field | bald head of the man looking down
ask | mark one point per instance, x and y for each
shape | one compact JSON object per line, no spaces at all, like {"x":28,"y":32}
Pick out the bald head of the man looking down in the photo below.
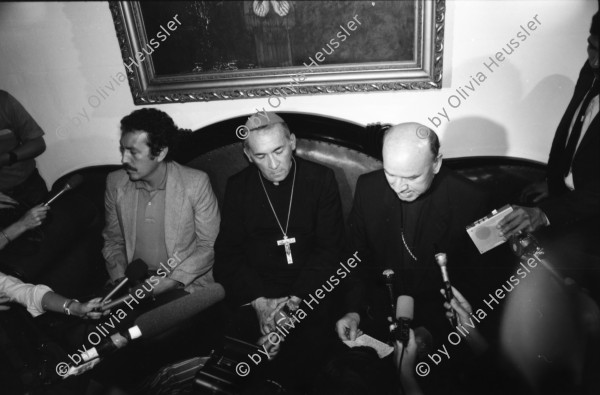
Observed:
{"x":411,"y":159}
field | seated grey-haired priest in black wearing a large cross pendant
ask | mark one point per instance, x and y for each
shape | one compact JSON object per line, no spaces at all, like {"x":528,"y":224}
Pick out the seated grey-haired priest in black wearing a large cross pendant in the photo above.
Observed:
{"x":280,"y":239}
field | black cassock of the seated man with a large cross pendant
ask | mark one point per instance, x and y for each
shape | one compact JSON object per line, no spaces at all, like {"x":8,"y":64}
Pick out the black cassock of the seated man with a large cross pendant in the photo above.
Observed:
{"x":276,"y":241}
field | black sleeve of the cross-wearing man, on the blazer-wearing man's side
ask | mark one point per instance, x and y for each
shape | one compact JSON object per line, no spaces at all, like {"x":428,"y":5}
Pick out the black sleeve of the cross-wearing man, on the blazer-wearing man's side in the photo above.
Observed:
{"x":241,"y":282}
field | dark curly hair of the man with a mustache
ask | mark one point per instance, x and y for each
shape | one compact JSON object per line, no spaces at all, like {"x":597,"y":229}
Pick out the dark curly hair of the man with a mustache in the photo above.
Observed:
{"x":159,"y":126}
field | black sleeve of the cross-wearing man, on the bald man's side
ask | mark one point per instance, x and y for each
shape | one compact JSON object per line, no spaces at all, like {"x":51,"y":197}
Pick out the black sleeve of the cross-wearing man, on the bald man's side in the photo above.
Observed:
{"x":329,"y":235}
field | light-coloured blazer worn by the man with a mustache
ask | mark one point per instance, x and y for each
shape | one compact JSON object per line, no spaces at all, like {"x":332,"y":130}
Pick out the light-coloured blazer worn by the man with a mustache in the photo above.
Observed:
{"x":191,"y":225}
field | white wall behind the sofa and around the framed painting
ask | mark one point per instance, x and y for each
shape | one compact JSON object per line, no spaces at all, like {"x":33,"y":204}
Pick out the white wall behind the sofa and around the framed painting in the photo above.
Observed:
{"x":53,"y":57}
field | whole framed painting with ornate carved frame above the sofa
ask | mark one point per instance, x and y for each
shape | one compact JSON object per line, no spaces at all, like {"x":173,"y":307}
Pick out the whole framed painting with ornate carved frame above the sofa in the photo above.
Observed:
{"x":177,"y":62}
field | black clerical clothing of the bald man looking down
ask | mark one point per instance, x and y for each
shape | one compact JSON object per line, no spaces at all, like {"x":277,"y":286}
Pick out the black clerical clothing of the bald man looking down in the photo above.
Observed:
{"x":405,"y":236}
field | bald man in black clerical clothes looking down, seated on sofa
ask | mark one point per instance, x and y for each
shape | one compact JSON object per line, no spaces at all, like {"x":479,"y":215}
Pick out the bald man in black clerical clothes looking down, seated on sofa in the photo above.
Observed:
{"x":401,"y":217}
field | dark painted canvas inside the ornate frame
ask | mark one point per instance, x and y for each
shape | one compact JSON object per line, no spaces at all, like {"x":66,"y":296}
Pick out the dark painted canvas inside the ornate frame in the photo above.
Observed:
{"x":226,"y":36}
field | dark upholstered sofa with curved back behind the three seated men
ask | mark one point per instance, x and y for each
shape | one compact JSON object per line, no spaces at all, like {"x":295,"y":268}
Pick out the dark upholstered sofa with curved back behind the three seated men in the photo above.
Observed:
{"x":349,"y":149}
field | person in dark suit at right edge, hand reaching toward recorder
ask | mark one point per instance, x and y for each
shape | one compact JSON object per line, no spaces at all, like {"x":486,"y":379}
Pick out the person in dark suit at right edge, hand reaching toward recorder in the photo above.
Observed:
{"x":568,"y":200}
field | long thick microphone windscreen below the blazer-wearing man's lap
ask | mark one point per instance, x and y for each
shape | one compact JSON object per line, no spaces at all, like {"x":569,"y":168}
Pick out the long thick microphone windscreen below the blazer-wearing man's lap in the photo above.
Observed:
{"x":173,"y":313}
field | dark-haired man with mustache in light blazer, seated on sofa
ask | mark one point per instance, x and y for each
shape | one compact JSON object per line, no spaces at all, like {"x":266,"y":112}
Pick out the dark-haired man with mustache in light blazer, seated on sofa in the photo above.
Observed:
{"x":157,"y":210}
